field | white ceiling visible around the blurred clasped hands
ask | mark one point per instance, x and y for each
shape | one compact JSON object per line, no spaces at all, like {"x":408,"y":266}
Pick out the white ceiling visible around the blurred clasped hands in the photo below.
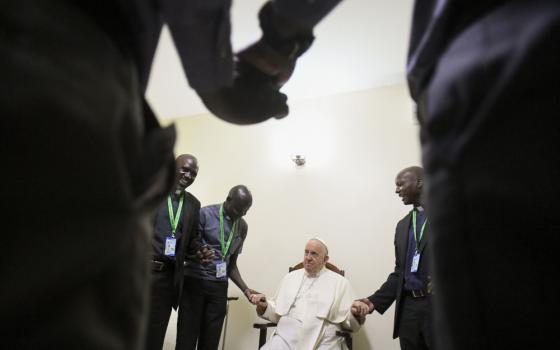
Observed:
{"x":361,"y":44}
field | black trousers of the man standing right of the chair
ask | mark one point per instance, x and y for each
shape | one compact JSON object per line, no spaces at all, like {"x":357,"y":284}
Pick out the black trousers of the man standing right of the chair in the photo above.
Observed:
{"x":415,"y":324}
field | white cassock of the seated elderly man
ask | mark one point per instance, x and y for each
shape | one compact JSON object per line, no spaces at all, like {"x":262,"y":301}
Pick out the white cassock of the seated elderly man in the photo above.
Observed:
{"x":309,"y":310}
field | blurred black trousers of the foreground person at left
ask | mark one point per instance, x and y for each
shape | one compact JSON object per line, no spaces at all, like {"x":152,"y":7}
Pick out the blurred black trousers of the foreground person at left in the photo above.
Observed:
{"x":75,"y":191}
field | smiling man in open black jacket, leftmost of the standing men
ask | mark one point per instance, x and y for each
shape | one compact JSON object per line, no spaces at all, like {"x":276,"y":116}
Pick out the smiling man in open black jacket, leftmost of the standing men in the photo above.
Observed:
{"x":175,"y":230}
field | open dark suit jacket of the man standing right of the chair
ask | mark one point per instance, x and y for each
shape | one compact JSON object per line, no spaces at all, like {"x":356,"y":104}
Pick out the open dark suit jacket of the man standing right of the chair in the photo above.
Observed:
{"x":392,"y":289}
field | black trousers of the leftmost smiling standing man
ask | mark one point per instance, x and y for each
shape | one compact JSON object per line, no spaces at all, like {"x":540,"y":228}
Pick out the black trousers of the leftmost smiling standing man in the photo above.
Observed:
{"x":163,"y":298}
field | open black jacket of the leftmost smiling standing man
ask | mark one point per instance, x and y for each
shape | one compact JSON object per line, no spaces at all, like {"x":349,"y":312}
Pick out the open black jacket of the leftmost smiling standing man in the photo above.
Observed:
{"x":189,"y":241}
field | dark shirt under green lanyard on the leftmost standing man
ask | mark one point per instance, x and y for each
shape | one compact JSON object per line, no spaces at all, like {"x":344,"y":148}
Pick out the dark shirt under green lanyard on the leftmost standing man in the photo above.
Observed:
{"x":162,"y":229}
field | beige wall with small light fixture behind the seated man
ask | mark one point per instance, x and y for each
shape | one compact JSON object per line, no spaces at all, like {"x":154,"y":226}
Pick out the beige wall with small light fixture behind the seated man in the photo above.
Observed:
{"x":354,"y":144}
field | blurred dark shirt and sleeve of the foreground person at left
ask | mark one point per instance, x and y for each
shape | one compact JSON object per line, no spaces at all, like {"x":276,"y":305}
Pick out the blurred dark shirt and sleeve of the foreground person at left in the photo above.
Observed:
{"x":200,"y":31}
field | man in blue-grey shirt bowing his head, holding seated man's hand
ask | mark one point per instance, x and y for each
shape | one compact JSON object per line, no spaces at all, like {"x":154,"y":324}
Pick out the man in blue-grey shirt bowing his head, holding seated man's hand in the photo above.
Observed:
{"x":203,"y":303}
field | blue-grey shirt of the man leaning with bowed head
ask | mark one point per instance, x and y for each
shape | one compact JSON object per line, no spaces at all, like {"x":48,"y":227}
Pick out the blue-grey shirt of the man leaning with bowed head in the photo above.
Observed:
{"x":210,"y":234}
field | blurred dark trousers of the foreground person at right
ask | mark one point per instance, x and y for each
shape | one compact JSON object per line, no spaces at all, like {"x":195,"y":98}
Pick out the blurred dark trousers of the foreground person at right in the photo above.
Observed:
{"x":491,"y":137}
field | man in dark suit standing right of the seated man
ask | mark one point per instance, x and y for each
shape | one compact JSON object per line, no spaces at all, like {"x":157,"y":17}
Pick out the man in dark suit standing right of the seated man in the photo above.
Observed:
{"x":407,"y":285}
